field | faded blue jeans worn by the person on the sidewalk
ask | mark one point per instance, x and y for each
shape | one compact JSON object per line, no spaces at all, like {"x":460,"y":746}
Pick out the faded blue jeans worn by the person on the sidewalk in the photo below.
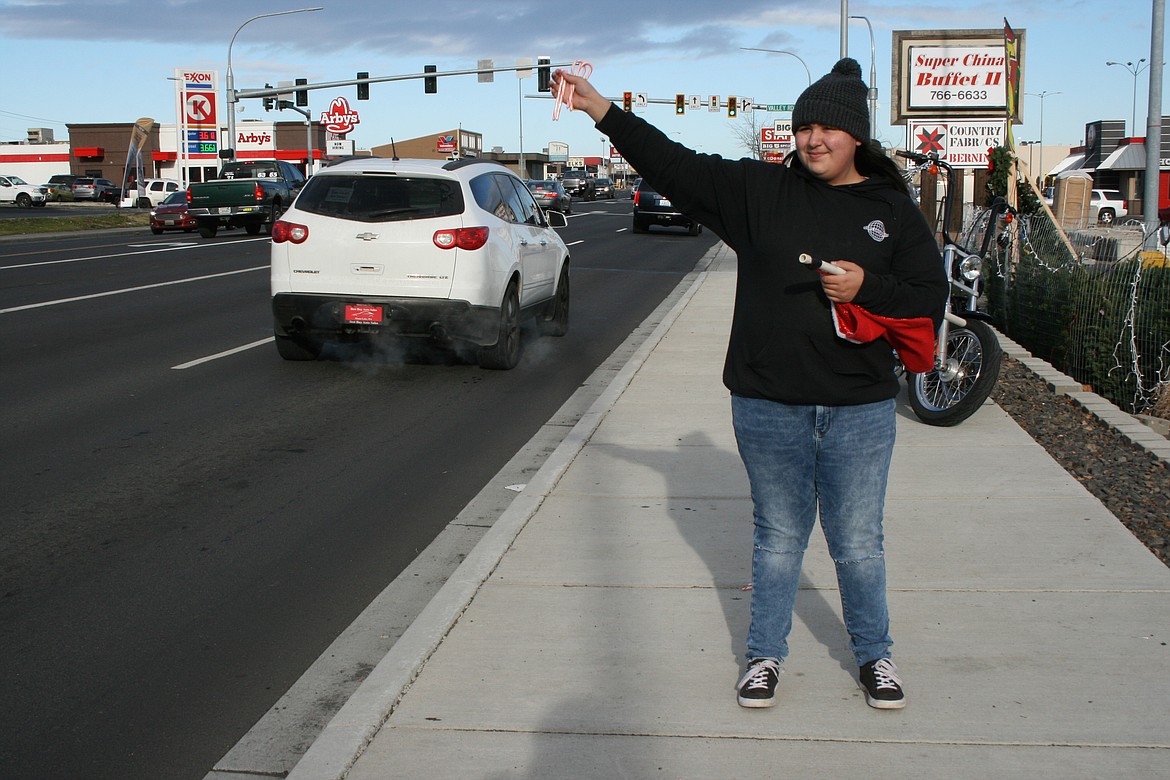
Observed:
{"x":801,"y":460}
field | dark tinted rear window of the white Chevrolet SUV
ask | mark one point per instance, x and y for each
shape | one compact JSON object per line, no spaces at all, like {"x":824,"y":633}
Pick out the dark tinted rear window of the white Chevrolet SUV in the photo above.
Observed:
{"x":373,"y":198}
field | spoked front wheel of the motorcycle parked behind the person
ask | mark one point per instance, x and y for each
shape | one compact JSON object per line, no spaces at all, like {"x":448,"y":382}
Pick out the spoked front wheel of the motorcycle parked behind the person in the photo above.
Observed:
{"x":949,"y":396}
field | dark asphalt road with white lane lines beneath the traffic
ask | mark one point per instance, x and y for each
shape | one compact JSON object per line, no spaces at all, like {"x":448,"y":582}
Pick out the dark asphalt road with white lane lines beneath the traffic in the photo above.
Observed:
{"x":189,"y":521}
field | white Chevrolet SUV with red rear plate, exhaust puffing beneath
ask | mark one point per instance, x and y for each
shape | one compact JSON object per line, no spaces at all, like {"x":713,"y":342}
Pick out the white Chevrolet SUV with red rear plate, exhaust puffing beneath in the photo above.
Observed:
{"x":455,"y":253}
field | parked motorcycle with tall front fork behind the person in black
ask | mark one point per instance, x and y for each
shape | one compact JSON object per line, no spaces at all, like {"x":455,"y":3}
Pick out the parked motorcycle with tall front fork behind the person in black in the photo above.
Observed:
{"x":967,"y":350}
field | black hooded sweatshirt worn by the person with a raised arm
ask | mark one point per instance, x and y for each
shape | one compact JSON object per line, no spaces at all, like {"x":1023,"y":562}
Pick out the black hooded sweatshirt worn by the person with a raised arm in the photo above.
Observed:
{"x":783,"y":346}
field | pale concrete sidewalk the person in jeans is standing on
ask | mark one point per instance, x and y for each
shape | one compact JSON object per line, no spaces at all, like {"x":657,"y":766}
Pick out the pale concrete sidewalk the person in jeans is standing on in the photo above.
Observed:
{"x":597,"y":630}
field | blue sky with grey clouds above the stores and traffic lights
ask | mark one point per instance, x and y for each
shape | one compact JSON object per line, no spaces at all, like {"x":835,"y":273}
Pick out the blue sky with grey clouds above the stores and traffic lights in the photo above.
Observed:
{"x":95,"y":61}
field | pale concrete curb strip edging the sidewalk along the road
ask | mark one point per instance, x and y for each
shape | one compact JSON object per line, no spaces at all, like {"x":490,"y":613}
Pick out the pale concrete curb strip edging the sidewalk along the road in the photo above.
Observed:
{"x":357,"y":723}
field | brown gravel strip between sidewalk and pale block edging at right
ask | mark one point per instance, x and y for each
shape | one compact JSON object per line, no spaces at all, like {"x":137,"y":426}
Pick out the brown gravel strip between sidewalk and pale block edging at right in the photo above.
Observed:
{"x":1132,"y":484}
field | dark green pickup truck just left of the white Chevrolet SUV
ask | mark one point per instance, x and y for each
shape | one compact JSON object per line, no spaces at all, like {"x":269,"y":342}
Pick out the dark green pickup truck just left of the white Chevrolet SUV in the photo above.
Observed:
{"x":251,"y":195}
